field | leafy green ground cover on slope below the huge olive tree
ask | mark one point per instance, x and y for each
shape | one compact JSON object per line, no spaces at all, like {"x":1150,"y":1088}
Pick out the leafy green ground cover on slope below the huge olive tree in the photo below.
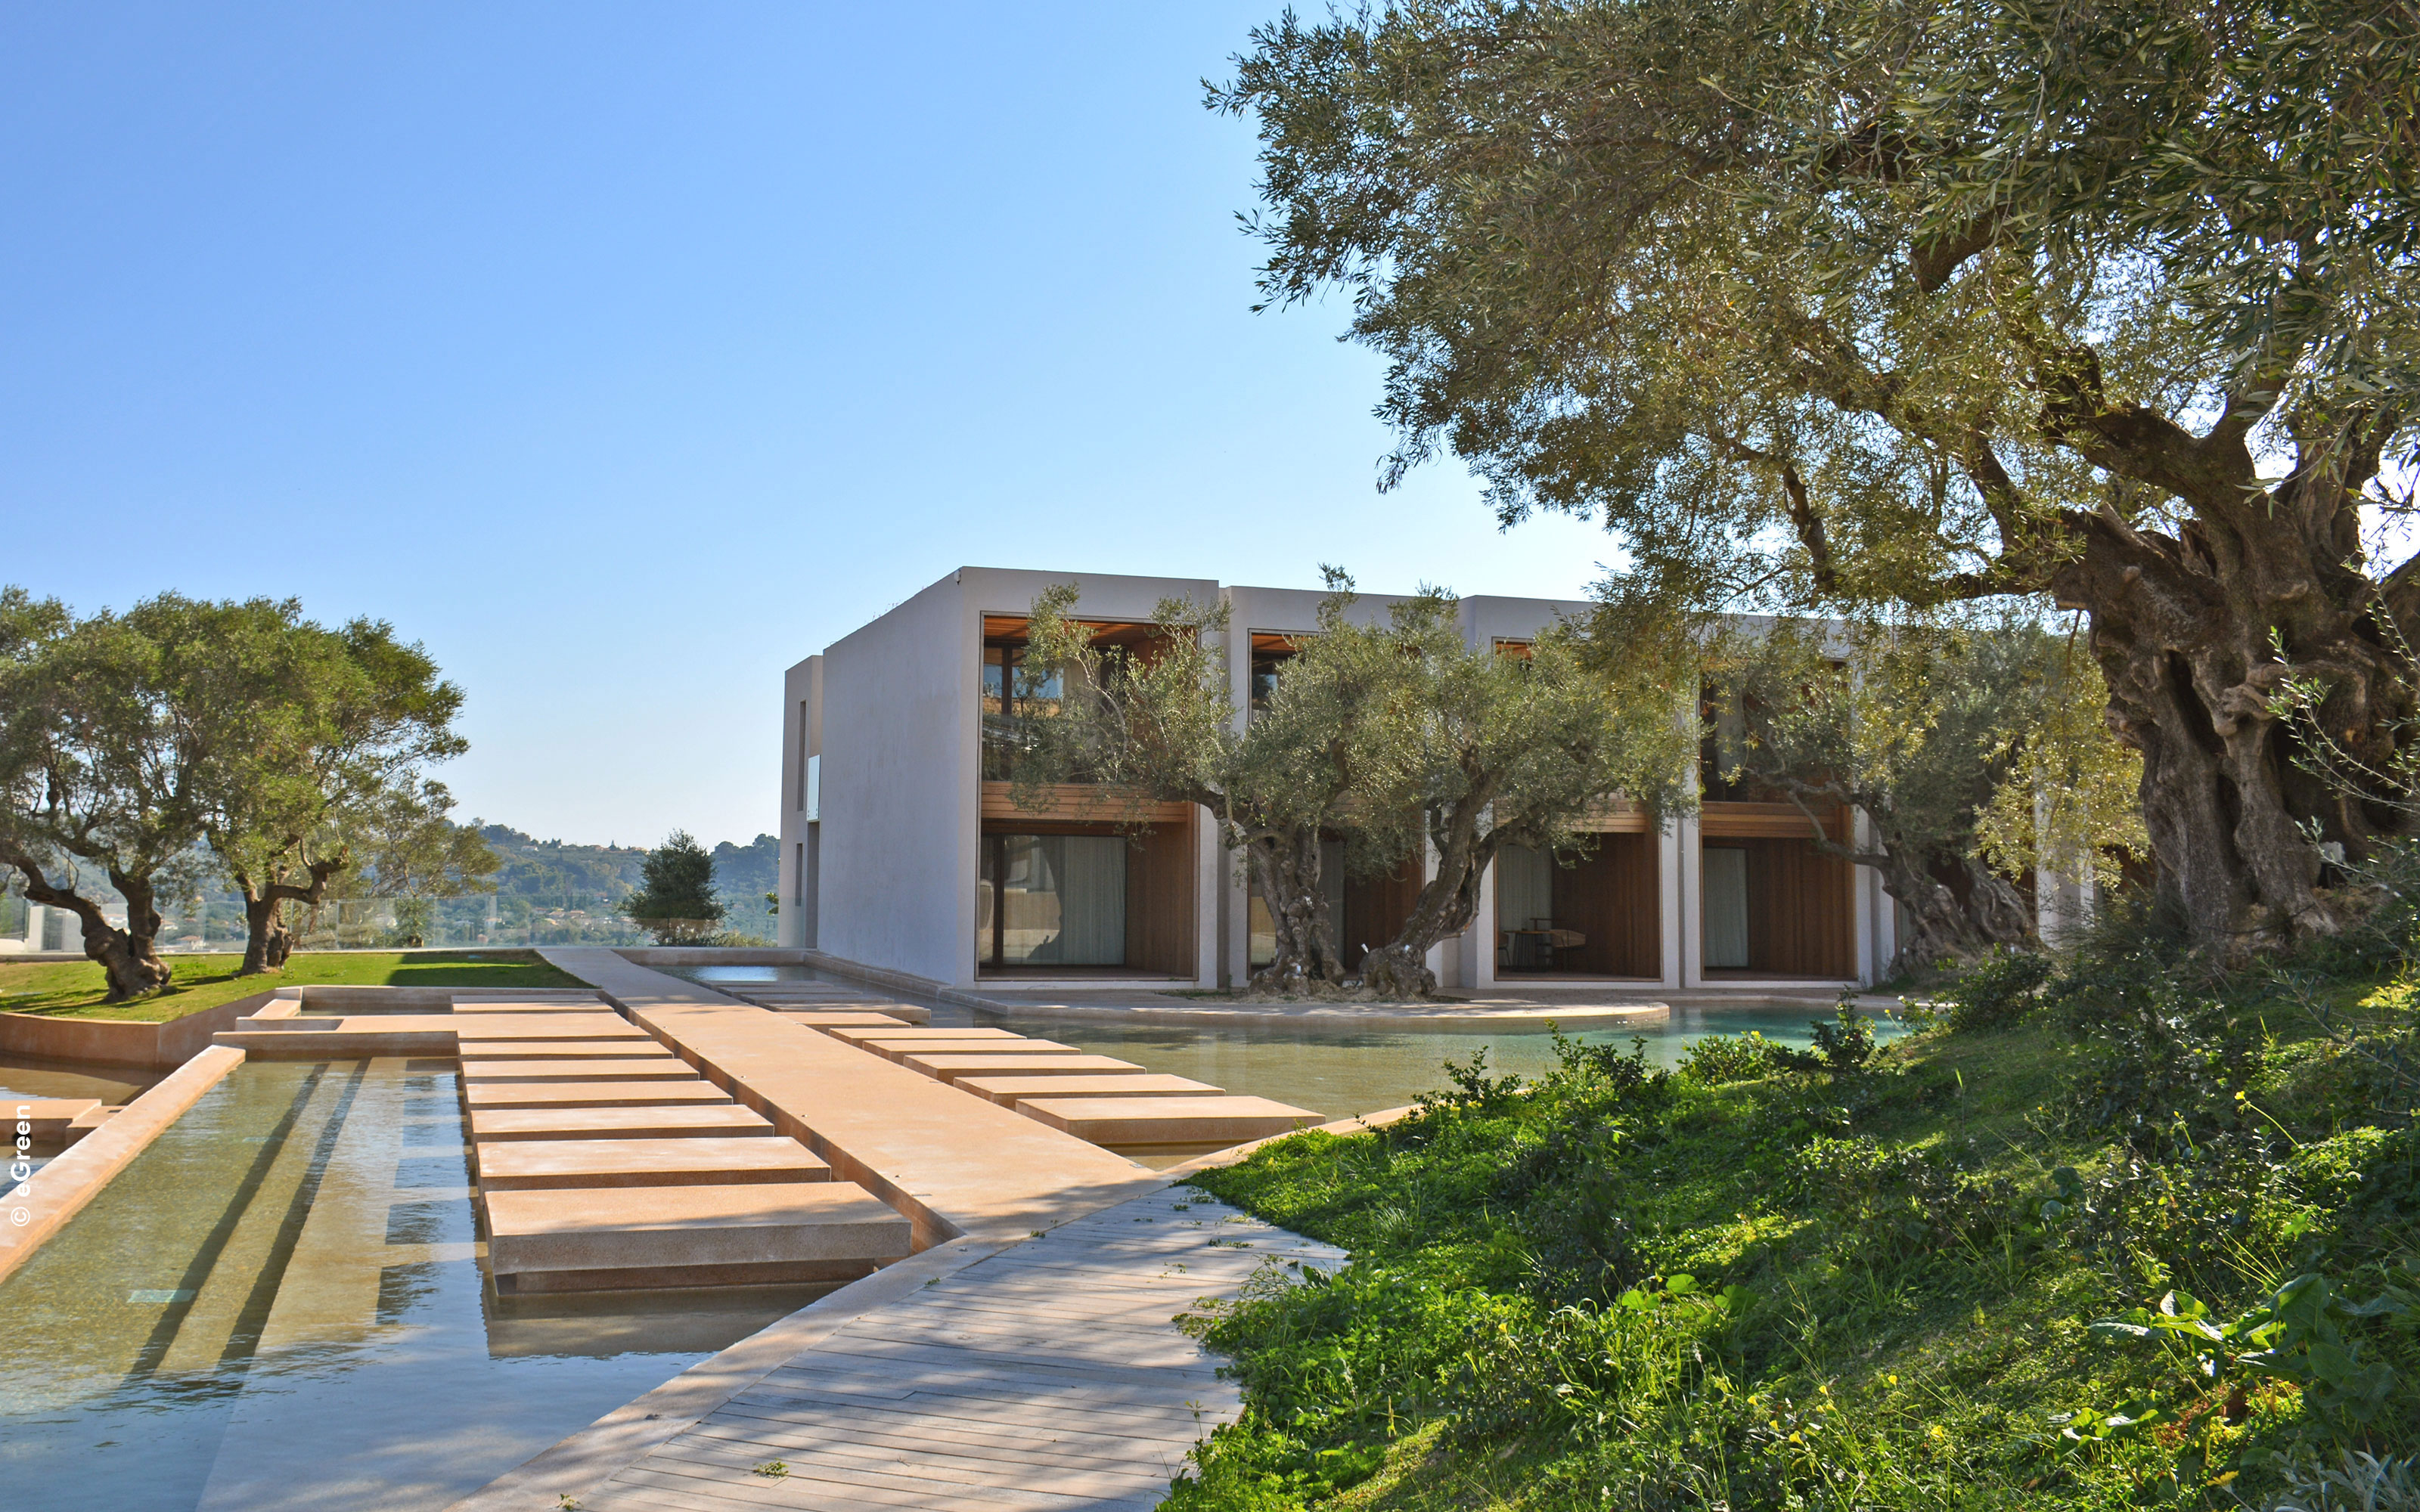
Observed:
{"x":2104,"y":1237}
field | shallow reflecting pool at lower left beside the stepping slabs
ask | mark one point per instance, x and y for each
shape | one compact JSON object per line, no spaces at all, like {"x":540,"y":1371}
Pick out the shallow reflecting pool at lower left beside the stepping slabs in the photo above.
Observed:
{"x":280,"y":1305}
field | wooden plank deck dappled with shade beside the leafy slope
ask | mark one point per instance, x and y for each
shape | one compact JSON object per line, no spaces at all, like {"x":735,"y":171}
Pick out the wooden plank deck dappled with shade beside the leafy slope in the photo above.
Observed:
{"x":1037,"y":1380}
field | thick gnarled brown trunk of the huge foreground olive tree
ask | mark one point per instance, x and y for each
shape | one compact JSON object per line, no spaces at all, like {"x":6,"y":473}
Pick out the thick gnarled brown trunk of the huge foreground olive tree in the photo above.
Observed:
{"x":2189,"y":630}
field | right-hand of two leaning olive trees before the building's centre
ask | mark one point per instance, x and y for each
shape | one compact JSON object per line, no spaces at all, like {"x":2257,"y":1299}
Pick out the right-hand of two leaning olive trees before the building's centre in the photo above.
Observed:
{"x":1487,"y":749}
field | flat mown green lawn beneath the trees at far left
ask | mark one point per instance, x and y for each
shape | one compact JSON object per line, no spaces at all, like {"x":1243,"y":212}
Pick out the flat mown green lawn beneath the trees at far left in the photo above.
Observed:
{"x":76,"y":988}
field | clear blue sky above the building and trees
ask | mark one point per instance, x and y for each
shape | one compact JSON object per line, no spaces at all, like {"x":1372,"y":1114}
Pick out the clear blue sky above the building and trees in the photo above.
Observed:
{"x":626,"y":354}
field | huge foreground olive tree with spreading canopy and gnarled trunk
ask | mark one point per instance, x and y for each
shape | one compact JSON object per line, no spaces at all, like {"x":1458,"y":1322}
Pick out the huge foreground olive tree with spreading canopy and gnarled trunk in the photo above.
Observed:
{"x":1906,"y":306}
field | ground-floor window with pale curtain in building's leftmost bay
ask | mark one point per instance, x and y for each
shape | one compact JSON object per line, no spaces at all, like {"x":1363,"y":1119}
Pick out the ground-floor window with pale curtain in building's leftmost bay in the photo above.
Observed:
{"x":1051,"y":901}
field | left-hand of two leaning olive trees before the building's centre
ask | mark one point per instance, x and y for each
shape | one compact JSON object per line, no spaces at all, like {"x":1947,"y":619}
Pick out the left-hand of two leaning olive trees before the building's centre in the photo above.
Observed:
{"x":1163,"y":727}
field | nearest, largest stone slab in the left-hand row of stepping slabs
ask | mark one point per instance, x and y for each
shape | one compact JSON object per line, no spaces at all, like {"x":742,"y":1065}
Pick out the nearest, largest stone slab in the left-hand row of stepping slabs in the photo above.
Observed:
{"x":688,"y":1235}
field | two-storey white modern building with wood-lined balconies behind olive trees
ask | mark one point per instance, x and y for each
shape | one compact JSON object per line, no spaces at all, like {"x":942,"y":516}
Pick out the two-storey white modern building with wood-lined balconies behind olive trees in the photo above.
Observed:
{"x":901,"y":853}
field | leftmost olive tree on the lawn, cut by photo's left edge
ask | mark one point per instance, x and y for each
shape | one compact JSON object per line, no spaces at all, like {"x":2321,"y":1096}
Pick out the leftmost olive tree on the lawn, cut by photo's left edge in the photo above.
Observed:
{"x":115,"y":734}
